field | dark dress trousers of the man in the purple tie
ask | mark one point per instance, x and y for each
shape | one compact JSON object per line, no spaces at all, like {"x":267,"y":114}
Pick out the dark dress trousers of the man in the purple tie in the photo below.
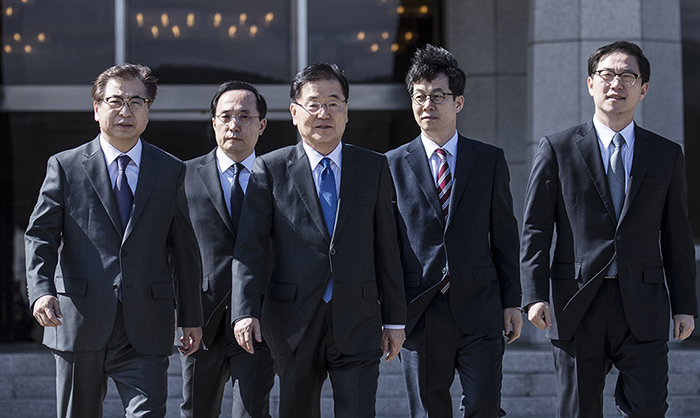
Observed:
{"x":81,"y":378}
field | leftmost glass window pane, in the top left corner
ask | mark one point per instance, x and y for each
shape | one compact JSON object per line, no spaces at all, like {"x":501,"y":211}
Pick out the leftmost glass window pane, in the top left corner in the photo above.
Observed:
{"x":56,"y":42}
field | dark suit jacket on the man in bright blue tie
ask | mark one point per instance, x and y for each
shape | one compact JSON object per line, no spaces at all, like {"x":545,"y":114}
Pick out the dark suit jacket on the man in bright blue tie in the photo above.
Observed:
{"x":282,"y":205}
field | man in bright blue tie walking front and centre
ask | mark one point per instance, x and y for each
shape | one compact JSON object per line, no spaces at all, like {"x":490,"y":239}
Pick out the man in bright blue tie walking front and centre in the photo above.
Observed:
{"x":334,"y":300}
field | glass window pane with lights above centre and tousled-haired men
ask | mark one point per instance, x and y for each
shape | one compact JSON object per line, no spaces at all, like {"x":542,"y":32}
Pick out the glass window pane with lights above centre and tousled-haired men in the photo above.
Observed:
{"x":372,"y":40}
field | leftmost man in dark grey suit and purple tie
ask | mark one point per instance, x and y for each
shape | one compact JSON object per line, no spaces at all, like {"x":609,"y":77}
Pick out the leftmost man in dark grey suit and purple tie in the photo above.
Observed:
{"x":111,"y":256}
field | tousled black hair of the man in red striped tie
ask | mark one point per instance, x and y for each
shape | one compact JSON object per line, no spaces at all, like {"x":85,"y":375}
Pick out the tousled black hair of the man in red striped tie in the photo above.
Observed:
{"x":431,"y":61}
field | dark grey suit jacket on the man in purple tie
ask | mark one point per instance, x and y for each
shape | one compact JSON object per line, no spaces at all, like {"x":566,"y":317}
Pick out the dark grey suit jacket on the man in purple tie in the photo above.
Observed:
{"x":155,"y":261}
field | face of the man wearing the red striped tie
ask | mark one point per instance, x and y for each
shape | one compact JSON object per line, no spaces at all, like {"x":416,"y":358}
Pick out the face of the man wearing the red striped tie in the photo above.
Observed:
{"x":438,"y":122}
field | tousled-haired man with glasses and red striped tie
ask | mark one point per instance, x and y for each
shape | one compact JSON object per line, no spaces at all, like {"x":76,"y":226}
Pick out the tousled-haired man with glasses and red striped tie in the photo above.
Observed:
{"x":459,"y":243}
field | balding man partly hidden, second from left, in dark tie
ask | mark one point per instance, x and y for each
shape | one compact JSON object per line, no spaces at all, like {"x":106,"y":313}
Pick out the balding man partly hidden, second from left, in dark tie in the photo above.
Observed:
{"x":214,"y":185}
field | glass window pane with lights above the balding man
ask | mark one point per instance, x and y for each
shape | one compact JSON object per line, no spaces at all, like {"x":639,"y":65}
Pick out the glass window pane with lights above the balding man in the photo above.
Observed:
{"x":209,"y":41}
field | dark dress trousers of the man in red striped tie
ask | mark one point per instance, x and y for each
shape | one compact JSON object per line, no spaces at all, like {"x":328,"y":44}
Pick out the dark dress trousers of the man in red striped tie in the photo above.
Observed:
{"x":432,"y":352}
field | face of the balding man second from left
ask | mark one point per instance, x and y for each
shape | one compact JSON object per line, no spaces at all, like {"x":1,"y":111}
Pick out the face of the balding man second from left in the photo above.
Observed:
{"x":237,"y":141}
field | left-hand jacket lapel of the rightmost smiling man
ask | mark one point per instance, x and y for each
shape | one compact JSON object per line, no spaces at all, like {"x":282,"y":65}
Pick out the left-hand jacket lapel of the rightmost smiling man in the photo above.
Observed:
{"x":589,"y":149}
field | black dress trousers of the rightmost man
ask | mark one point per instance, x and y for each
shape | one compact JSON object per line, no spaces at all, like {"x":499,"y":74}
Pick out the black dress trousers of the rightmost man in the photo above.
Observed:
{"x":602,"y":340}
